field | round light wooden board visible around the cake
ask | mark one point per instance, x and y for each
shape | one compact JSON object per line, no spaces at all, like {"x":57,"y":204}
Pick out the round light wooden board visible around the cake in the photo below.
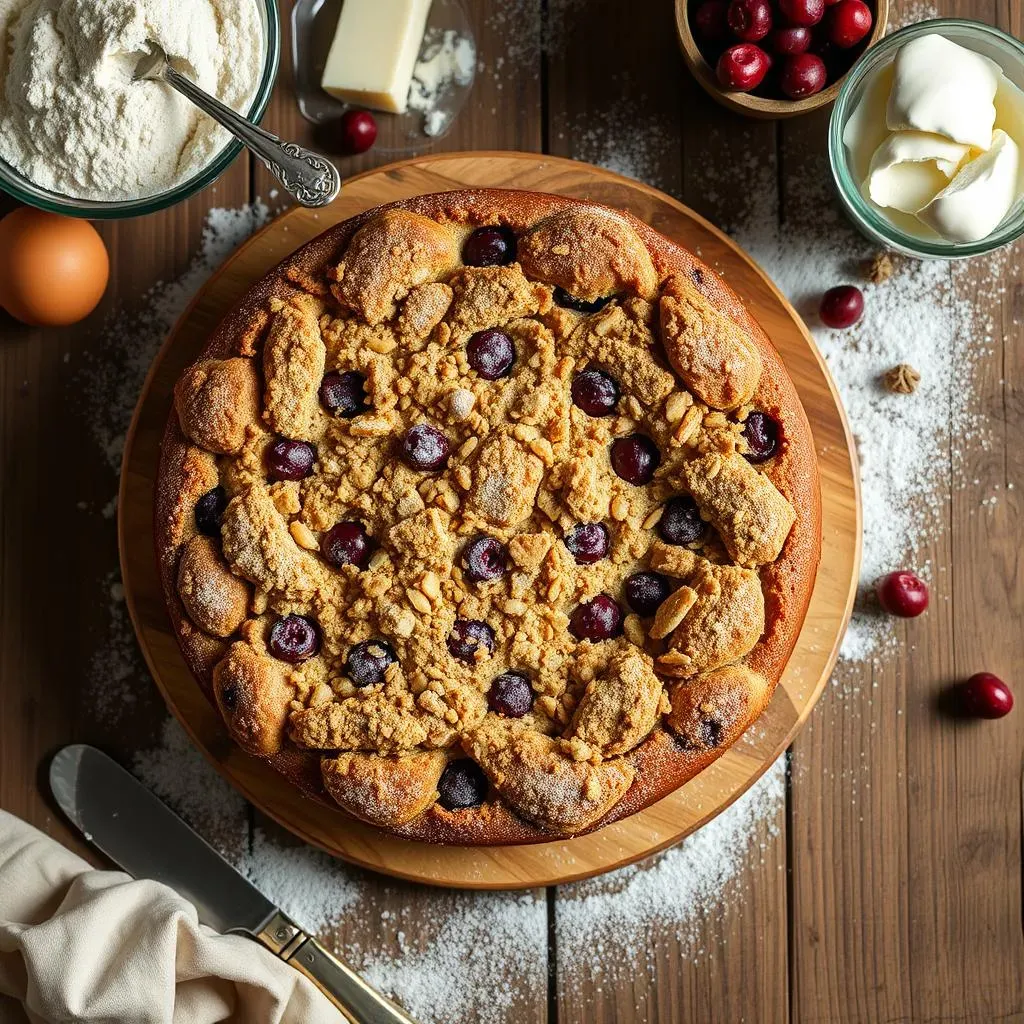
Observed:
{"x":671,"y":819}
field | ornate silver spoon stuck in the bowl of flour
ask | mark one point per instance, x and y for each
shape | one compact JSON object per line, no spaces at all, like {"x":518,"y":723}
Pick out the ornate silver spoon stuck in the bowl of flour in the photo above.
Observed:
{"x":308,"y":177}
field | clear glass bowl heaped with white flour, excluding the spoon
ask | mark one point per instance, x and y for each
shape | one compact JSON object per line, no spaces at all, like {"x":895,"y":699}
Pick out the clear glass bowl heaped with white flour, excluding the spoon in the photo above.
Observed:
{"x":78,"y":137}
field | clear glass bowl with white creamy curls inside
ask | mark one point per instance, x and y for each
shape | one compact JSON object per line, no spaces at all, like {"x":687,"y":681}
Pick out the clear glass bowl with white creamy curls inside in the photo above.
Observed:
{"x":926,"y":141}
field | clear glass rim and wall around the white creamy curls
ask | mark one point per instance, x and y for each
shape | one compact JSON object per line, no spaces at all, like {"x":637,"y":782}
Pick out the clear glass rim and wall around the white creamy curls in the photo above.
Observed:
{"x":866,"y":218}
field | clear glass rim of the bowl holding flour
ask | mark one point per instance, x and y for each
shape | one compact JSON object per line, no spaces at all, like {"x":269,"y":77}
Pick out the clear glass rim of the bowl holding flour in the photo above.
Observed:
{"x":22,"y":189}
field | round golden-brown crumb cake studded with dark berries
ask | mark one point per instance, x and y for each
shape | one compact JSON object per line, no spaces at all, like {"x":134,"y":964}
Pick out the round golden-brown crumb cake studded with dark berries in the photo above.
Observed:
{"x":489,"y":518}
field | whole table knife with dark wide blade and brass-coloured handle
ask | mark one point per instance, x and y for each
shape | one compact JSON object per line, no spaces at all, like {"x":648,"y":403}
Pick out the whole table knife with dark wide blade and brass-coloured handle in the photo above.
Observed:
{"x":135,"y":829}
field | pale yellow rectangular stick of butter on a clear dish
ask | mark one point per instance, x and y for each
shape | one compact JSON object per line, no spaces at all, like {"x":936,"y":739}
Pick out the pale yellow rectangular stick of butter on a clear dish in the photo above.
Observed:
{"x":374,"y":53}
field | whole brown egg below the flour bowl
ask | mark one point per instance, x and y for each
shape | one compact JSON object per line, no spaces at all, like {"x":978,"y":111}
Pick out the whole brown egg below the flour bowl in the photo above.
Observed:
{"x":54,"y":270}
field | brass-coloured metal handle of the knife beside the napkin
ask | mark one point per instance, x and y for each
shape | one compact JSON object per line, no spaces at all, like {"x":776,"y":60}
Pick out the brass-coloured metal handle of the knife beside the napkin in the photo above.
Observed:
{"x":359,"y":1002}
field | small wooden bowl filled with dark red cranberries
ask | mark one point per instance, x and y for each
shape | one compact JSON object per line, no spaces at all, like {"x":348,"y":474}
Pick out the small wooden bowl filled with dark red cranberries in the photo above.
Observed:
{"x":777,"y":59}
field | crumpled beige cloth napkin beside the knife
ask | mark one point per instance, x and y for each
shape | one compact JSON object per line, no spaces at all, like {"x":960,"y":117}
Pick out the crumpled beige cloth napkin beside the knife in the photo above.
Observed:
{"x":99,"y":948}
